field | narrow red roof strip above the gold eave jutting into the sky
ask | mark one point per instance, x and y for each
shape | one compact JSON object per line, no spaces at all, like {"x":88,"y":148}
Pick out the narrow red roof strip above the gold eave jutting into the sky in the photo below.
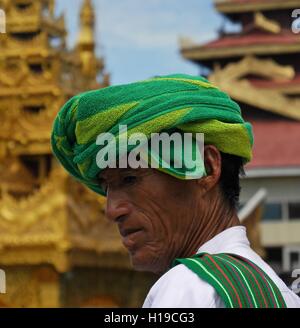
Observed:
{"x":255,"y":38}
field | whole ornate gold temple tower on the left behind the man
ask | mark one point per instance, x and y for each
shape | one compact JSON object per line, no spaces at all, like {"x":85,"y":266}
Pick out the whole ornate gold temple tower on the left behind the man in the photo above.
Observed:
{"x":45,"y":216}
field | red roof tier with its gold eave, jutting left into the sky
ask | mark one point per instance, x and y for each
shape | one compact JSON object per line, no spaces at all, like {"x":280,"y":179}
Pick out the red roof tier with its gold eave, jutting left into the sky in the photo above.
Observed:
{"x":238,"y":45}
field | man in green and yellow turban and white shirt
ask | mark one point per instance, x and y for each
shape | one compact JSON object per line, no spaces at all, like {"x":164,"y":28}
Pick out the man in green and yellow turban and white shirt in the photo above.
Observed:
{"x":172,"y":221}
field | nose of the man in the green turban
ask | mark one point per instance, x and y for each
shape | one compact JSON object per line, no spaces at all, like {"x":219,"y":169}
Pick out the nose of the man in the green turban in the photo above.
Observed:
{"x":116,"y":206}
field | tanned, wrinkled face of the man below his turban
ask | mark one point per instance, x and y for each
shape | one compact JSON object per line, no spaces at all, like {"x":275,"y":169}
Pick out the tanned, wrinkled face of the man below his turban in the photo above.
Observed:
{"x":155,"y":213}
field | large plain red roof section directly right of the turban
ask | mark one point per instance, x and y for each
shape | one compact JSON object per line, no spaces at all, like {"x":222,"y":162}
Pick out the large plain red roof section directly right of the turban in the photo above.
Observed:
{"x":276,"y":144}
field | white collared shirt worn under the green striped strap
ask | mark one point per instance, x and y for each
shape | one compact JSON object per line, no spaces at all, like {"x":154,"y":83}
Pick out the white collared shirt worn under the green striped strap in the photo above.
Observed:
{"x":181,"y":287}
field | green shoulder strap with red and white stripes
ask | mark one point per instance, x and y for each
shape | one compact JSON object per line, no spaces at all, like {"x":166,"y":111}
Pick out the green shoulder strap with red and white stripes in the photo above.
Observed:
{"x":238,"y":281}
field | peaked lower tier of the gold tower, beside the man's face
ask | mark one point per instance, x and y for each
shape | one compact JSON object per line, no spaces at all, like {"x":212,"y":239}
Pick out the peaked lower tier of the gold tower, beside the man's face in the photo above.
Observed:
{"x":43,"y":229}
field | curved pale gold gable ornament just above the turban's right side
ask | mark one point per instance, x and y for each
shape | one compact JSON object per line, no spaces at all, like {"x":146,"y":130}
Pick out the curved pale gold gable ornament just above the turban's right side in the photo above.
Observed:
{"x":278,"y":92}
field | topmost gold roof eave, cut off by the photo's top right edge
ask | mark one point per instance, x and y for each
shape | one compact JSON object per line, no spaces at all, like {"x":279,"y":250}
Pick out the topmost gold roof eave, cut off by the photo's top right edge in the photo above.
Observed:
{"x":240,"y":6}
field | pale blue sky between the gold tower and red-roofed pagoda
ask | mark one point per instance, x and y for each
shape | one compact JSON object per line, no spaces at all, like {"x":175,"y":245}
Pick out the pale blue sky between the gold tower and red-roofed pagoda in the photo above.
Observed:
{"x":139,"y":39}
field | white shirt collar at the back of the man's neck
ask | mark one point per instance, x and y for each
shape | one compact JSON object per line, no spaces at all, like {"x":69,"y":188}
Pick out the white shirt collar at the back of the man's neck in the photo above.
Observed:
{"x":226,"y":241}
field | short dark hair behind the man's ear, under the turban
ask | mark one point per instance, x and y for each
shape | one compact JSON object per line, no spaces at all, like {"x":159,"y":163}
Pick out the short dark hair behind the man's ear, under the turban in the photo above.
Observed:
{"x":232,"y":167}
